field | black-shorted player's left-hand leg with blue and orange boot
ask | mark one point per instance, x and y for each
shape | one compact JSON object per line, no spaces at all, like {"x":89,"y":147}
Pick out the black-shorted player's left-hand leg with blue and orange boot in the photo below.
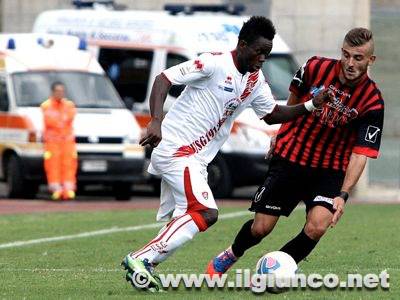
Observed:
{"x":274,"y":198}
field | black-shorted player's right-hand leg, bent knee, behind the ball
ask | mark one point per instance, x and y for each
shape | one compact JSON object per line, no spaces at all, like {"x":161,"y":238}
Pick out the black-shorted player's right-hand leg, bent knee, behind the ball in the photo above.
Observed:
{"x":324,"y":185}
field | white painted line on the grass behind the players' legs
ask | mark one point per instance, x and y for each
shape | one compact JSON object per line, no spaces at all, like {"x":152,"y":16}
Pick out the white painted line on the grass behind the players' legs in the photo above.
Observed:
{"x":103,"y":232}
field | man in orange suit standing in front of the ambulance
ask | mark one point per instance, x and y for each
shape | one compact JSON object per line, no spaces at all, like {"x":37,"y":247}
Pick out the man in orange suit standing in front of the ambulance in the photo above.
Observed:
{"x":60,"y":156}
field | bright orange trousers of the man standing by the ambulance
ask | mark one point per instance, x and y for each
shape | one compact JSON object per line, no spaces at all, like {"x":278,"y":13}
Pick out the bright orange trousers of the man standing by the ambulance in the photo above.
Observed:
{"x":60,"y":165}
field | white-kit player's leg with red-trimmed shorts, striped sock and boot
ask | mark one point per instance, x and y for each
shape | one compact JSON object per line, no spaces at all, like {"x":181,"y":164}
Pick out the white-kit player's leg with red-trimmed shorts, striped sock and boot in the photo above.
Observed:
{"x":195,"y":211}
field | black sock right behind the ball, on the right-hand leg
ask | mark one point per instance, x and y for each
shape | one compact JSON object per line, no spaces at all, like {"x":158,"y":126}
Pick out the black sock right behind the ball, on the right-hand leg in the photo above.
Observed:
{"x":300,"y":246}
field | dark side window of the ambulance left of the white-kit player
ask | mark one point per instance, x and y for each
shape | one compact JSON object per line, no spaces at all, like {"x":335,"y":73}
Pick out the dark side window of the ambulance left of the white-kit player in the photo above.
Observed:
{"x":129,"y":70}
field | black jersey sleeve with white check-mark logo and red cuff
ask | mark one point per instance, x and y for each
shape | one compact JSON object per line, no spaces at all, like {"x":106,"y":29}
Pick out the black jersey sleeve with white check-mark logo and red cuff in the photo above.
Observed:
{"x":369,"y":134}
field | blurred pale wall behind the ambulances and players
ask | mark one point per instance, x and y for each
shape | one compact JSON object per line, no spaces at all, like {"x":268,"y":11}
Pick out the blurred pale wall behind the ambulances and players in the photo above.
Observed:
{"x":310,"y":27}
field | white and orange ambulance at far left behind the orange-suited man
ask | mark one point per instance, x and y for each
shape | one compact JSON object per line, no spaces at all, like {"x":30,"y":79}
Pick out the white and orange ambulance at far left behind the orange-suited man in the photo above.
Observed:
{"x":106,"y":132}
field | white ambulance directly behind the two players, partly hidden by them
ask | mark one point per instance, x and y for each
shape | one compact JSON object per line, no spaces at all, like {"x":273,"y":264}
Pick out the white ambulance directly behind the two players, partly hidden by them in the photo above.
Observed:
{"x":135,"y":46}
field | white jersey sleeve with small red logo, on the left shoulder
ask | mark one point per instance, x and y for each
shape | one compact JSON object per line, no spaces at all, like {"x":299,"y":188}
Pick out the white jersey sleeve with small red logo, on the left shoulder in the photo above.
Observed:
{"x":191,"y":71}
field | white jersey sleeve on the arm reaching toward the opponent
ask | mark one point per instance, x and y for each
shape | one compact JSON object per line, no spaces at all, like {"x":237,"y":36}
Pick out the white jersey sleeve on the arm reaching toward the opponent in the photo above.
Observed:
{"x":263,"y":103}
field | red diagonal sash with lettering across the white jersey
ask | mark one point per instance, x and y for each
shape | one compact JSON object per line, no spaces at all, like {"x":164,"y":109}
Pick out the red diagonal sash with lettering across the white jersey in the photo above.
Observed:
{"x":230,"y":107}
